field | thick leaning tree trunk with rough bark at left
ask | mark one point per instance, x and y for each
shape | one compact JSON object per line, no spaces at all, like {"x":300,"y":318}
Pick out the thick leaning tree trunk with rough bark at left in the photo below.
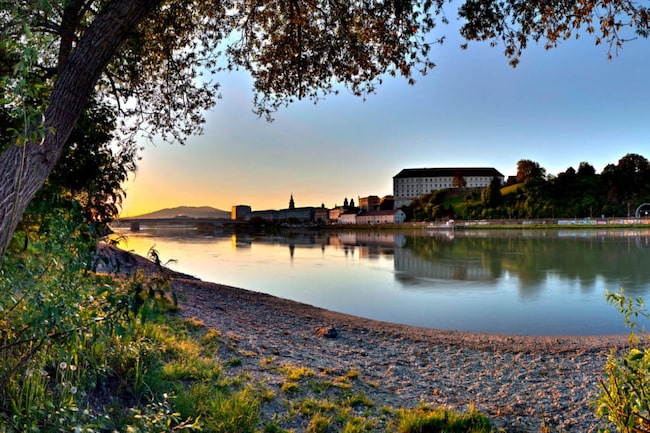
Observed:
{"x":23,"y":169}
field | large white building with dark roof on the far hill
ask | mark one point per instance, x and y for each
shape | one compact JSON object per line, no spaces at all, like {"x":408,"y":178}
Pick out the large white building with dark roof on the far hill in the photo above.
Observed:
{"x":411,"y":183}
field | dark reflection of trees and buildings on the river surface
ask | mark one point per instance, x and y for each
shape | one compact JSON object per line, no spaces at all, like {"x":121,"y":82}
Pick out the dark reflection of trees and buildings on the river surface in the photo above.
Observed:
{"x":534,"y":259}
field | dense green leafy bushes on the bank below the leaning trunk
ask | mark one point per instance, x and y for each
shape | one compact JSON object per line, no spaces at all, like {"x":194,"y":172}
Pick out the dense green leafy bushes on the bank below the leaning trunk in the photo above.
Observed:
{"x":69,"y":336}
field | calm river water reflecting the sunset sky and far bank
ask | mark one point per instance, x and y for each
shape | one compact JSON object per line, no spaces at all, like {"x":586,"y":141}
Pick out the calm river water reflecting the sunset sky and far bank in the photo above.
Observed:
{"x":510,"y":282}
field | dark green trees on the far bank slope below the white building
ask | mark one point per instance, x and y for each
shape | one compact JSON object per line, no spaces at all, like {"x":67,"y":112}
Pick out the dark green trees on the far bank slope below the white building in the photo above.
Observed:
{"x":574,"y":193}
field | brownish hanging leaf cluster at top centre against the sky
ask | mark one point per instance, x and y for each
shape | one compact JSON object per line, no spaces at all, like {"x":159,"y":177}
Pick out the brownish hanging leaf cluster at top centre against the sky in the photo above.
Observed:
{"x":308,"y":49}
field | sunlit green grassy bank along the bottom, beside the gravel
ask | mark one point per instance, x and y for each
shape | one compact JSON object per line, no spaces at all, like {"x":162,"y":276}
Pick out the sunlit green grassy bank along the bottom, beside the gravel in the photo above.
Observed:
{"x":169,"y":374}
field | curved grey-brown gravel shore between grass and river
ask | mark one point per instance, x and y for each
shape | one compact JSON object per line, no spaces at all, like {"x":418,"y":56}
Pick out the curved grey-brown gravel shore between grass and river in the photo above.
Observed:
{"x":520,"y":383}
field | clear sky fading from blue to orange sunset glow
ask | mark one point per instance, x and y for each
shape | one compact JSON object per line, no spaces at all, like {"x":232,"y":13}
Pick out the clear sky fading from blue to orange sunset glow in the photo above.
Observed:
{"x":558,"y":108}
